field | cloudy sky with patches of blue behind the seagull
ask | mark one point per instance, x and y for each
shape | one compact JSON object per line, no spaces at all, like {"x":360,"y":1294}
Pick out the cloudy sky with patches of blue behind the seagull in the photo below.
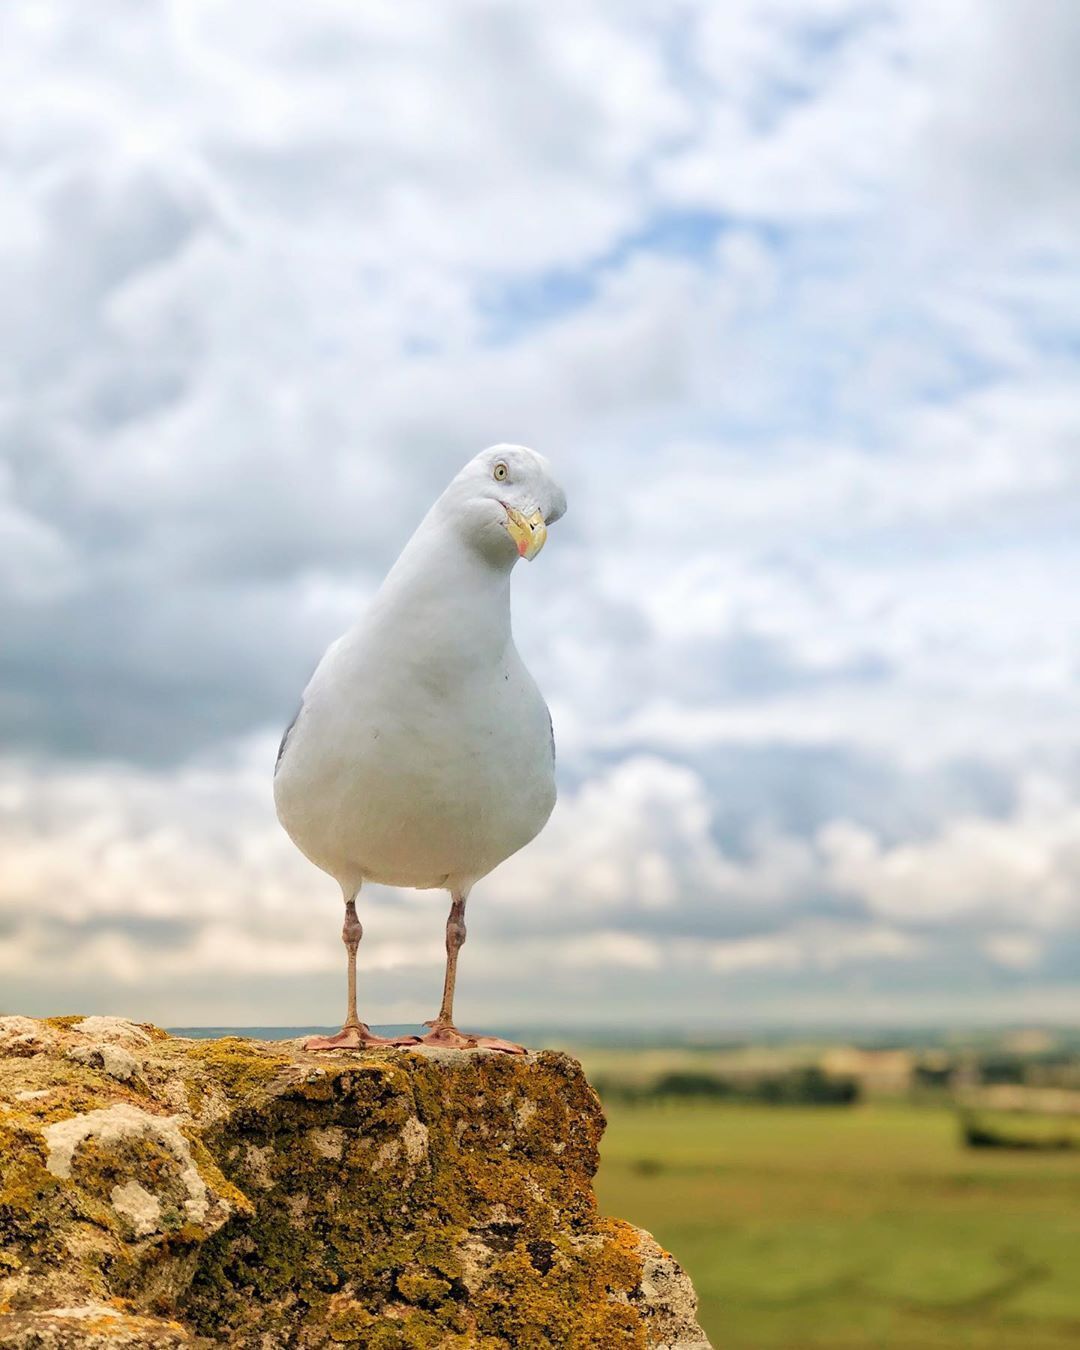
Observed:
{"x":788,"y":291}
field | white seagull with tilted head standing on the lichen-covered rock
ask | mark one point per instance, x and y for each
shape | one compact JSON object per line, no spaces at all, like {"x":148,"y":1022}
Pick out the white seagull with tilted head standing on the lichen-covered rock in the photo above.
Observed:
{"x":423,"y":754}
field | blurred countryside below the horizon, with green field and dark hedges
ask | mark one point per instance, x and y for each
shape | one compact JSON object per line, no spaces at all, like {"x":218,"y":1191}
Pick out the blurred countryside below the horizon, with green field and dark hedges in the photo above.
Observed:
{"x":848,"y":1191}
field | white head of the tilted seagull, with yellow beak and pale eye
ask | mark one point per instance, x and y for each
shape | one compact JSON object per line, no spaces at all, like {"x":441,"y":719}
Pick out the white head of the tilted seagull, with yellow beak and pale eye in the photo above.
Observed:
{"x":504,"y":502}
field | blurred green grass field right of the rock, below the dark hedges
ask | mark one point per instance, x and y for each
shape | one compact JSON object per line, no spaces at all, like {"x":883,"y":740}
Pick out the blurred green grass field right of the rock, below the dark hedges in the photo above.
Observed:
{"x":867,"y":1226}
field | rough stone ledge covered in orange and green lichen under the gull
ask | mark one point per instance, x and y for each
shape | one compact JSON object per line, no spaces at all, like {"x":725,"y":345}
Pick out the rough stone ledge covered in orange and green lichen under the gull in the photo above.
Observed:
{"x":159,"y":1191}
